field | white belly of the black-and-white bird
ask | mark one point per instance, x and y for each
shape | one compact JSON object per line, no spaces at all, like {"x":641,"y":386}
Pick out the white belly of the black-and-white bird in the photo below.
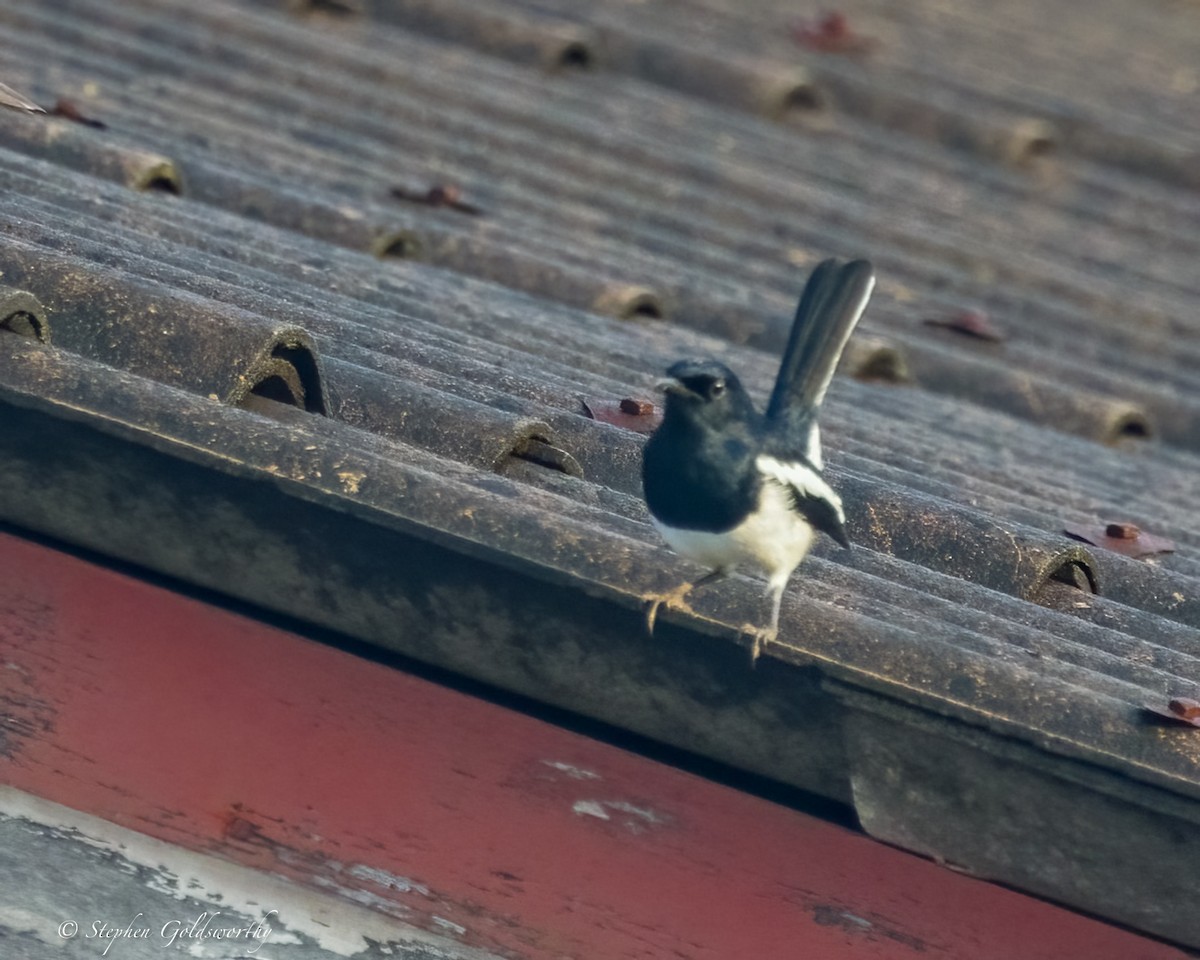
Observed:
{"x":773,"y":539}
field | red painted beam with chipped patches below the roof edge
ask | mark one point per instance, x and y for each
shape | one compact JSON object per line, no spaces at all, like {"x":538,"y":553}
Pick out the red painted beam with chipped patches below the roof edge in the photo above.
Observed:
{"x":213,"y":731}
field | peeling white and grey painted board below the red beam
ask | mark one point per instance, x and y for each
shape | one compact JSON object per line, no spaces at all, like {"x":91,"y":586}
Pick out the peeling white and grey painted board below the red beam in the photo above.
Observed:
{"x":136,"y":877}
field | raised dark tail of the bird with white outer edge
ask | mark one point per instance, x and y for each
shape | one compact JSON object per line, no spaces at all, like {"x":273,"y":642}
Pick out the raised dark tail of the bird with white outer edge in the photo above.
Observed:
{"x":830,"y":308}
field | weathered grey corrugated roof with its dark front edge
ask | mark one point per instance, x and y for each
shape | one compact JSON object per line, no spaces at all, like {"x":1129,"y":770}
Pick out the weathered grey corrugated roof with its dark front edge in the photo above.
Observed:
{"x":255,"y":227}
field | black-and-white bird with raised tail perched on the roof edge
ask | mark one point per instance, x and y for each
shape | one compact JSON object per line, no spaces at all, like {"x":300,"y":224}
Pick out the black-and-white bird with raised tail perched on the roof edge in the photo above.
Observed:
{"x":730,"y":488}
